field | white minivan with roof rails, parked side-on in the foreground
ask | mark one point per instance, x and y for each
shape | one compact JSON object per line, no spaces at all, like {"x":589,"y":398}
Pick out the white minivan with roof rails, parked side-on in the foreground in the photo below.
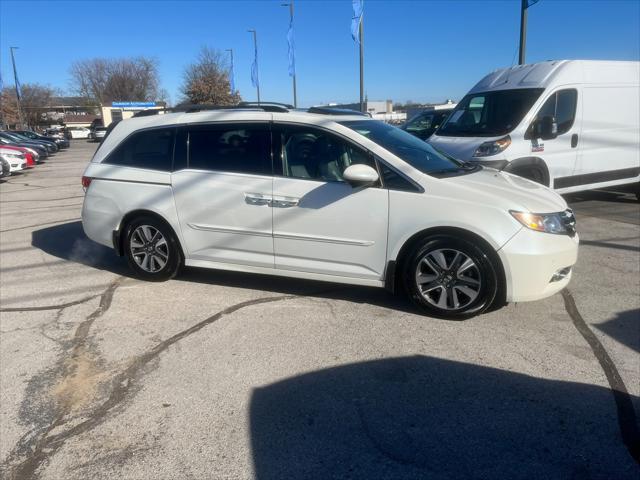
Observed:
{"x":326,"y":195}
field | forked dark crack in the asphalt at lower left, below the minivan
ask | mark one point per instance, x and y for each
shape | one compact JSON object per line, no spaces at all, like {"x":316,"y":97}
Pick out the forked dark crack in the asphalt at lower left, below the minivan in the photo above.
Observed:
{"x":47,"y":444}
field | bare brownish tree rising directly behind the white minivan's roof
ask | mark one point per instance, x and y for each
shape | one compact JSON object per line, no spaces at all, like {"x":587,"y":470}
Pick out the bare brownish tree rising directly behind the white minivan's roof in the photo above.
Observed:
{"x":207,"y":80}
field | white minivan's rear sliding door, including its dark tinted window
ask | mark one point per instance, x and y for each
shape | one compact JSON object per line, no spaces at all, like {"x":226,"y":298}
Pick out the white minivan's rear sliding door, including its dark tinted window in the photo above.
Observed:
{"x":223,"y":194}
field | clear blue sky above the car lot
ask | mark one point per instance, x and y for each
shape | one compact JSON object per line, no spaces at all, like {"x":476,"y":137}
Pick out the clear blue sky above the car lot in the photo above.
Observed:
{"x":425,"y":51}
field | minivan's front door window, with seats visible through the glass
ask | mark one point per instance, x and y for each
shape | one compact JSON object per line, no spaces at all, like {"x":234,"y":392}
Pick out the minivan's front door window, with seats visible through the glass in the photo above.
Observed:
{"x":314,"y":154}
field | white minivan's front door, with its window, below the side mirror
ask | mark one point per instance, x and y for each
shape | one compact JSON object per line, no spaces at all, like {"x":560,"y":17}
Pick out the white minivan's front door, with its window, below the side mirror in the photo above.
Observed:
{"x":321,"y":224}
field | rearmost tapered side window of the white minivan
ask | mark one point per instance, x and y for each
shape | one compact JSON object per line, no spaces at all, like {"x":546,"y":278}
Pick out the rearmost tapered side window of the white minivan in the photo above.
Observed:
{"x":148,"y":149}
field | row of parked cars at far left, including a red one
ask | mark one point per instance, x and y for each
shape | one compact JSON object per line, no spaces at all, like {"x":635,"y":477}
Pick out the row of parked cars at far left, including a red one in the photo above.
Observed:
{"x":23,"y":149}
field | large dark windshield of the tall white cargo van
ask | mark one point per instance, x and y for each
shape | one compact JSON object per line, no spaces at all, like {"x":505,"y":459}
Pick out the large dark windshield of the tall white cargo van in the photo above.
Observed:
{"x":489,"y":114}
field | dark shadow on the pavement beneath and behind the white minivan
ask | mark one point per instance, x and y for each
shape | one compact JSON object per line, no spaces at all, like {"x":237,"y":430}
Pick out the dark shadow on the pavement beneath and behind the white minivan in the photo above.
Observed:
{"x":68,"y":242}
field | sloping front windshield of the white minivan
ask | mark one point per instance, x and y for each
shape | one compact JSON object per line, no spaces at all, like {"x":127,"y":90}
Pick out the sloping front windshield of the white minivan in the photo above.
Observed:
{"x":412,"y":150}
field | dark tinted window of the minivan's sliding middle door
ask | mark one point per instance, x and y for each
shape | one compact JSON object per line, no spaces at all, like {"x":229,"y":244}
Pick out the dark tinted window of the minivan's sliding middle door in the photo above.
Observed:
{"x":235,"y":148}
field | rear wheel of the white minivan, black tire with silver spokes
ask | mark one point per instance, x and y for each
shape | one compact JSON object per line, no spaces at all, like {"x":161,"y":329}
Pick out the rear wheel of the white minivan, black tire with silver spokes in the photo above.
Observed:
{"x":163,"y":253}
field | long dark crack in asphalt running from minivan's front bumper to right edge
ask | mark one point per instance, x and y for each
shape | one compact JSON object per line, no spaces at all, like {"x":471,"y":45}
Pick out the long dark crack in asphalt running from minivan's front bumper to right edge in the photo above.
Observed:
{"x":627,"y":420}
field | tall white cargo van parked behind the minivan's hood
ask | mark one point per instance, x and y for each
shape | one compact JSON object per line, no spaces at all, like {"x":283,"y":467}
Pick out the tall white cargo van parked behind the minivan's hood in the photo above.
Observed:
{"x":571,"y":124}
